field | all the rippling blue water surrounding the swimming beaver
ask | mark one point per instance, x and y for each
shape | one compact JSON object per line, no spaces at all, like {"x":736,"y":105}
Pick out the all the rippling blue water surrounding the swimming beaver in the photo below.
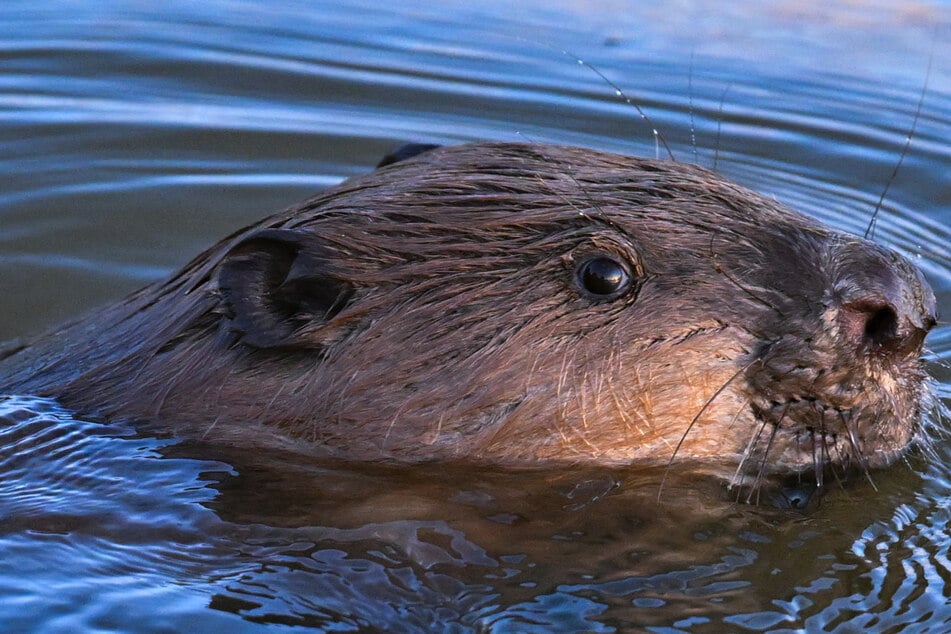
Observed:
{"x":134,"y":134}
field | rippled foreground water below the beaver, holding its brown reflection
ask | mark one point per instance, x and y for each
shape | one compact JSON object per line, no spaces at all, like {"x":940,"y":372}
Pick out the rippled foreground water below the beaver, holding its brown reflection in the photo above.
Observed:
{"x":99,"y":525}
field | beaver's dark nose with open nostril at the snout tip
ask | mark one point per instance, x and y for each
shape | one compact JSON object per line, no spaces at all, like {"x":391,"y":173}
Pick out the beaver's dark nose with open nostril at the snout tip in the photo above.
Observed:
{"x":884,"y":303}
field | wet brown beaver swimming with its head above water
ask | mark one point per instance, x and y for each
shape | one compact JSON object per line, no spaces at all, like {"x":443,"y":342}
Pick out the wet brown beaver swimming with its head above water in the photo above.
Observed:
{"x":517,"y":303}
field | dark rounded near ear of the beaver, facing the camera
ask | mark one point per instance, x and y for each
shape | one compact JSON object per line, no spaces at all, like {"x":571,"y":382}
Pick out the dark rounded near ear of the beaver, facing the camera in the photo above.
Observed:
{"x":277,"y":290}
